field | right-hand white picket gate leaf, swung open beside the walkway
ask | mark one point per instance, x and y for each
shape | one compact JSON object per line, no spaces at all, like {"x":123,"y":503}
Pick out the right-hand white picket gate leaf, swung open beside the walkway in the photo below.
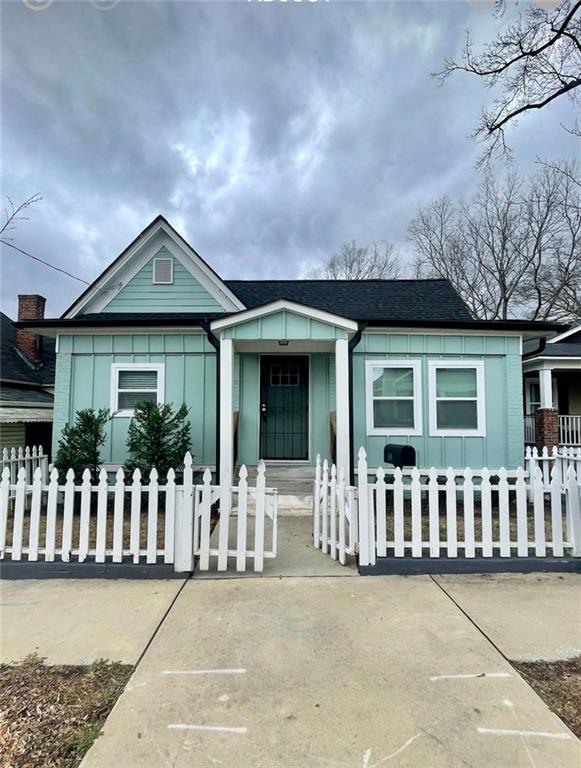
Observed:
{"x":335,"y":515}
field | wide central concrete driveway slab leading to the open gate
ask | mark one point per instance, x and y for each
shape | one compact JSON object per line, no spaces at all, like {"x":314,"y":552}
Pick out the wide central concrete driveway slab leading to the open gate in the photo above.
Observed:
{"x":301,"y":672}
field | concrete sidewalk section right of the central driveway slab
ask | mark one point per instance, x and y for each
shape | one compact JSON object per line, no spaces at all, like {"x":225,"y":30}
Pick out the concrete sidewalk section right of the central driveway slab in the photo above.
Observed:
{"x":528,"y":616}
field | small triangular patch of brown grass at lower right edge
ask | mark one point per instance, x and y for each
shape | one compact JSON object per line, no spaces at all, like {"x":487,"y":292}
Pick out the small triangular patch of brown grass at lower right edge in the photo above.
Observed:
{"x":558,"y":683}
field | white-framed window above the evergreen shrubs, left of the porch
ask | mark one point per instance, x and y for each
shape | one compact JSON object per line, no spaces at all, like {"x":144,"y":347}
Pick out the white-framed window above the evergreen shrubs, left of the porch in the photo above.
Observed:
{"x":133,"y":383}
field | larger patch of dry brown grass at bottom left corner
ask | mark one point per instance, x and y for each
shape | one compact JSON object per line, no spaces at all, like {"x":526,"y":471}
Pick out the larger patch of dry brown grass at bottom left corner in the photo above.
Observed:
{"x":51,"y":715}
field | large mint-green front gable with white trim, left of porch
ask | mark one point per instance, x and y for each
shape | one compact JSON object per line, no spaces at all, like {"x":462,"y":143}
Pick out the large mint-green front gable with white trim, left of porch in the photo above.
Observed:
{"x":127,"y":284}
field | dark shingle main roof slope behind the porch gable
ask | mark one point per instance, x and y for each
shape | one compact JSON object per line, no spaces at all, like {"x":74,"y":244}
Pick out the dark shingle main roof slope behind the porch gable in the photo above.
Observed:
{"x":384,"y":300}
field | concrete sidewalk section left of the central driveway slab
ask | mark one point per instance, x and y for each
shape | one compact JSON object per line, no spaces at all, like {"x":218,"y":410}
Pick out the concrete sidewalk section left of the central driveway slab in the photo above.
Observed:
{"x":76,"y":621}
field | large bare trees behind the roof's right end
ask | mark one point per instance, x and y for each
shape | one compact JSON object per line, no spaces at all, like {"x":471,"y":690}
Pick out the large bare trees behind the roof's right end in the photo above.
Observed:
{"x":513,"y":250}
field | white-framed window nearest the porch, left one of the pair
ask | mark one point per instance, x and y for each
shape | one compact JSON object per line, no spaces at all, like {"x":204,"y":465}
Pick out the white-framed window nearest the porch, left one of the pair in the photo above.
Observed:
{"x":393,"y":397}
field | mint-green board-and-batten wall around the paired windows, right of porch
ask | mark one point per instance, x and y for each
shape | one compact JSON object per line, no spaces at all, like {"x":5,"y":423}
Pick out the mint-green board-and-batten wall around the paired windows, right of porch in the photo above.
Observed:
{"x":504,"y":439}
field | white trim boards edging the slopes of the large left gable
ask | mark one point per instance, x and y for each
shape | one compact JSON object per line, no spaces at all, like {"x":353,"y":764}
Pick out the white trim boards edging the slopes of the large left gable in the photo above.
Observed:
{"x":159,"y":235}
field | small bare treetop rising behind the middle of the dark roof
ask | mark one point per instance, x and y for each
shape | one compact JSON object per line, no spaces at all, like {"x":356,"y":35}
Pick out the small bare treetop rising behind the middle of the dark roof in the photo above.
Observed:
{"x":354,"y":262}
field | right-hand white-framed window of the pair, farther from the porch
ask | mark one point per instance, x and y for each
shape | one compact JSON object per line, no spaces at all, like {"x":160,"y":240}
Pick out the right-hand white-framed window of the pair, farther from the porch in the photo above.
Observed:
{"x":457,"y":398}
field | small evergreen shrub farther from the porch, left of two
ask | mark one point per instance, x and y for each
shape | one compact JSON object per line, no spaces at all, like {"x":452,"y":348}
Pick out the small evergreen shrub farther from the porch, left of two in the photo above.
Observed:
{"x":80,"y":445}
